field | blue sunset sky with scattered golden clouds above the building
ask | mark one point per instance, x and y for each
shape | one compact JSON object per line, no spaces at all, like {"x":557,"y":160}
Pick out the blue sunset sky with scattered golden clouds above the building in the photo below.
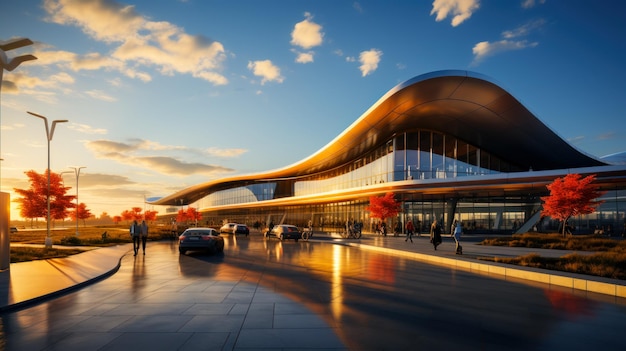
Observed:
{"x":162,"y":95}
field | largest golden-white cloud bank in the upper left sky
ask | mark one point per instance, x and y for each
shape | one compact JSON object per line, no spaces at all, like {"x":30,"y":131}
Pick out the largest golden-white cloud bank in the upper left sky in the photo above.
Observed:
{"x":137,"y":42}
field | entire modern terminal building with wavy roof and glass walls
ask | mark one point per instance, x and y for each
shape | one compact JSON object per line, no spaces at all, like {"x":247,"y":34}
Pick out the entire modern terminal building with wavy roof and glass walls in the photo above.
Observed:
{"x":448,"y":144}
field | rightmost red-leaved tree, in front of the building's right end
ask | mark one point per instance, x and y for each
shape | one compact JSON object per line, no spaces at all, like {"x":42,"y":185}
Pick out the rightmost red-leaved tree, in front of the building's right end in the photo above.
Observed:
{"x":571,"y":196}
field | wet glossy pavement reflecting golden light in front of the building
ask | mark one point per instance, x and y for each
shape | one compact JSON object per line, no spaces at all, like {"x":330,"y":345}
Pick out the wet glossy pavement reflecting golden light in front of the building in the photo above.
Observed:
{"x":275,"y":294}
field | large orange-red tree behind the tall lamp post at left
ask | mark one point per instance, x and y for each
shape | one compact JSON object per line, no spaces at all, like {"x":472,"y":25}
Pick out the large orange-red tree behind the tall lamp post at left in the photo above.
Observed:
{"x":34,"y":203}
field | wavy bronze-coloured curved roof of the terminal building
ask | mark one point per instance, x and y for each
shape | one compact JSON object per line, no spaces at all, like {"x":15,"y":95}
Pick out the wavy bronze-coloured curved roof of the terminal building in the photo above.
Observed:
{"x":464,"y":104}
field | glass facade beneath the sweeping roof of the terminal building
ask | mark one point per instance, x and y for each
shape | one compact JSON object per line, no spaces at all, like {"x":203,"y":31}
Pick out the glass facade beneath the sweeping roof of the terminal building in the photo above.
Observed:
{"x":421,"y":157}
